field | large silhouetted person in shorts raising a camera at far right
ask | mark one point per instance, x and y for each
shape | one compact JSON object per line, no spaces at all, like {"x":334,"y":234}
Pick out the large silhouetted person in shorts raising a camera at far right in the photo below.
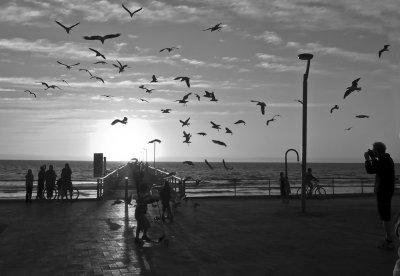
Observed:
{"x":378,"y":162}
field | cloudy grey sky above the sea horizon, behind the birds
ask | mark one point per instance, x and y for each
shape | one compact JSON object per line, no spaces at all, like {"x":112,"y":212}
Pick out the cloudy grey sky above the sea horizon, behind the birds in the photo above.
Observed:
{"x":252,"y":58}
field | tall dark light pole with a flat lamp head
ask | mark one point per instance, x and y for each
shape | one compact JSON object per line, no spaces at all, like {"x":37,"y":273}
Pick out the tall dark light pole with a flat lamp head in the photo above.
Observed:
{"x":308,"y":58}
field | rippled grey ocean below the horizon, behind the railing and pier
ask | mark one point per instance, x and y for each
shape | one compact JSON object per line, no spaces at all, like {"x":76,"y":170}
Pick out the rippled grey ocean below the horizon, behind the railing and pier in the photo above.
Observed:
{"x":250,"y":178}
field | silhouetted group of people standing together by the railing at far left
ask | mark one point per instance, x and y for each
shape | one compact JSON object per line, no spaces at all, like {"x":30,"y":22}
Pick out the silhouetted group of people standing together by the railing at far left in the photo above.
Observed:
{"x":48,"y":180}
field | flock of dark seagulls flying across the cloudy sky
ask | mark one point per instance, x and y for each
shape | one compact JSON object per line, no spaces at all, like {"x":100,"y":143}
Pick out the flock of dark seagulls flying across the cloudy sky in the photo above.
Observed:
{"x":185,"y":99}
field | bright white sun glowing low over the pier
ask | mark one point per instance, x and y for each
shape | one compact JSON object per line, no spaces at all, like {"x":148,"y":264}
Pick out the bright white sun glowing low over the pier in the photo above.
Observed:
{"x":122,"y":142}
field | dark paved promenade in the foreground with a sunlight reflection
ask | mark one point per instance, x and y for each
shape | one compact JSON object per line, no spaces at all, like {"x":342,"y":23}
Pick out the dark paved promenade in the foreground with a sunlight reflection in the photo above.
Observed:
{"x":219,"y":237}
